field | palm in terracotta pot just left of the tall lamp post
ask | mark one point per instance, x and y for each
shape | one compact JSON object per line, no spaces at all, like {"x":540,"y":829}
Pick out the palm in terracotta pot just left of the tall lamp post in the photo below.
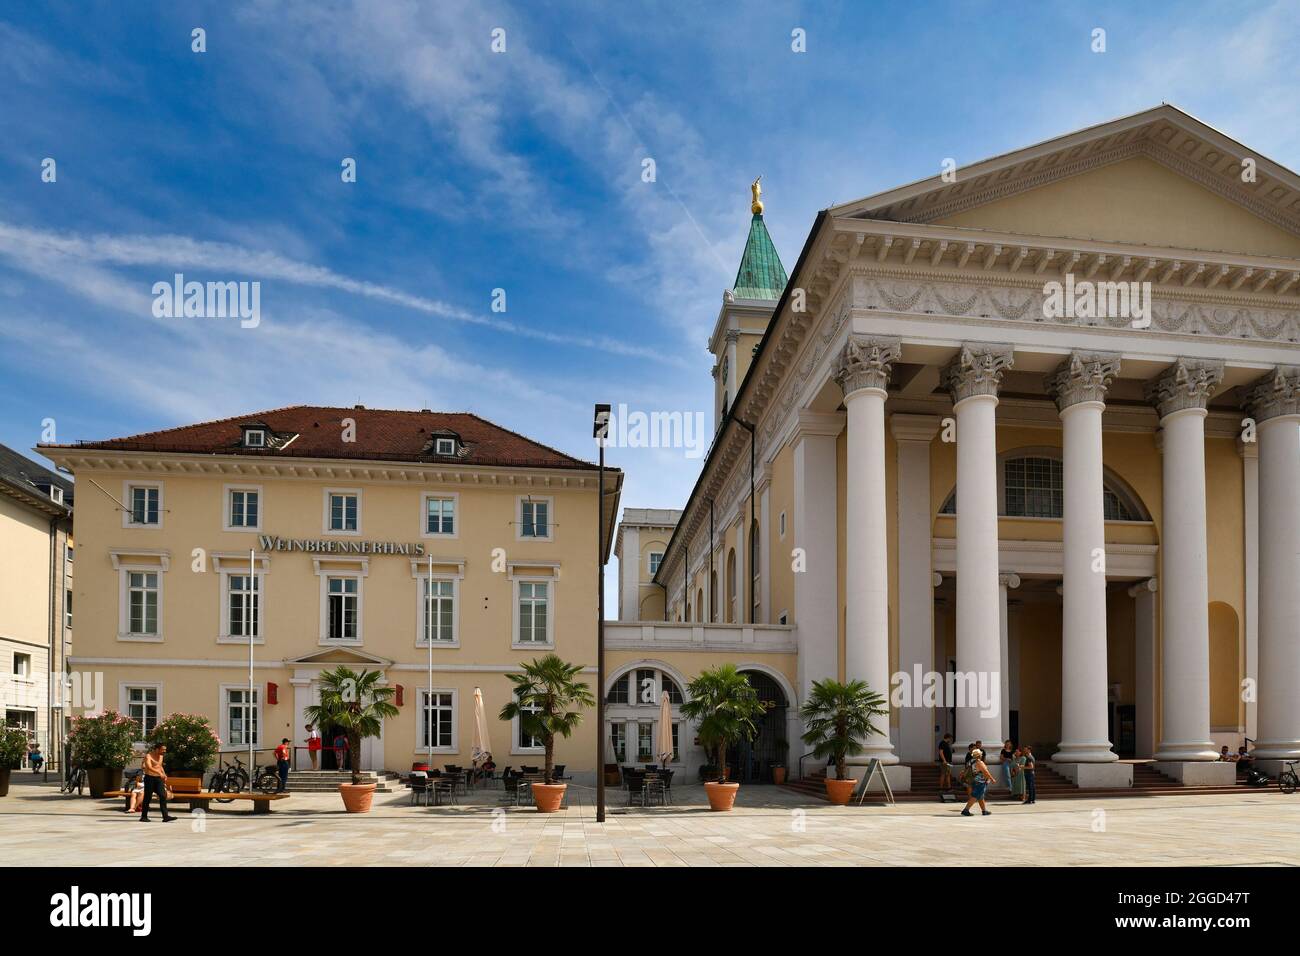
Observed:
{"x":545,"y":697}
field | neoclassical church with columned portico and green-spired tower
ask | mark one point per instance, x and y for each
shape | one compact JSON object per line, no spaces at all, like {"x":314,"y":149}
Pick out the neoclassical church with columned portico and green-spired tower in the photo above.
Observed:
{"x":1028,"y":432}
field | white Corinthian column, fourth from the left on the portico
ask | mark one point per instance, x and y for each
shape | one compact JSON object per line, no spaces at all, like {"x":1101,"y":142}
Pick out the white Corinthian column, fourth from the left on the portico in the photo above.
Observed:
{"x":1180,"y":397}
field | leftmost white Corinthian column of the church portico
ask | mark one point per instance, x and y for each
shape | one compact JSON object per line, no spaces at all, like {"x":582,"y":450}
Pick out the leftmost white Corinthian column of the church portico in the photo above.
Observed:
{"x":864,"y":373}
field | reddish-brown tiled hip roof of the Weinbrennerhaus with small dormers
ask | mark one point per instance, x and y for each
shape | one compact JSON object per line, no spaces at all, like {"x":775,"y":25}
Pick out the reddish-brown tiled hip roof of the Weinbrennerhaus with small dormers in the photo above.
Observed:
{"x":382,"y":435}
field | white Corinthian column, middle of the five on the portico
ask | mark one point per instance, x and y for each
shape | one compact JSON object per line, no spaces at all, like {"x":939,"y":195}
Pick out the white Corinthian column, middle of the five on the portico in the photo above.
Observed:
{"x":1080,"y":388}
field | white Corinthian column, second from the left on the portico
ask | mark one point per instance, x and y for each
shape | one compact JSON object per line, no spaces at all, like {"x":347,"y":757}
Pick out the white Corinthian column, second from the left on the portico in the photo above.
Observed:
{"x":973,"y":380}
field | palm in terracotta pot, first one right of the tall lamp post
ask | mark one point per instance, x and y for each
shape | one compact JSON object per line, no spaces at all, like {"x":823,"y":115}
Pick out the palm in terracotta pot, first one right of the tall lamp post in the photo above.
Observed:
{"x":723,"y":706}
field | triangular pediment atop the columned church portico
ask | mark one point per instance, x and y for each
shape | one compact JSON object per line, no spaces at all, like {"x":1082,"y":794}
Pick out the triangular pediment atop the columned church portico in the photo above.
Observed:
{"x":1158,"y":179}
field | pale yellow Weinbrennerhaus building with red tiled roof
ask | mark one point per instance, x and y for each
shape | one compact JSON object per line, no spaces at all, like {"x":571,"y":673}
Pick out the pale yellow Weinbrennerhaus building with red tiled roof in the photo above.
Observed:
{"x":356,"y":537}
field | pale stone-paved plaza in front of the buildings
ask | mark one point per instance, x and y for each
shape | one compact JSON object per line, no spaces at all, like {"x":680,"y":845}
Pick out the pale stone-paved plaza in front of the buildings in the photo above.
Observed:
{"x":769,"y":828}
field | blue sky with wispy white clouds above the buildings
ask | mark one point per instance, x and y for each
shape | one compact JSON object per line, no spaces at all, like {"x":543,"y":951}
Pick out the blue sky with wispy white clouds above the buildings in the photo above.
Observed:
{"x":519,"y":171}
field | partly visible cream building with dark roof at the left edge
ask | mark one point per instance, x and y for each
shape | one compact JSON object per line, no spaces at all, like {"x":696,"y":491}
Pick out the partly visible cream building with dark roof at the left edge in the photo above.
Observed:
{"x":36,"y":599}
